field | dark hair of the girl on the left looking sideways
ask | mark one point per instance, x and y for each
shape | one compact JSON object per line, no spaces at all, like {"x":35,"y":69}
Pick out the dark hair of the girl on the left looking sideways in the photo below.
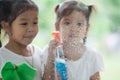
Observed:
{"x":10,"y":9}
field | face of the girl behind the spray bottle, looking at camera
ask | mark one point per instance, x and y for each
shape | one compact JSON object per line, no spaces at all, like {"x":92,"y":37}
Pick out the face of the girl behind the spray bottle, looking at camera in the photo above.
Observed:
{"x":73,"y":27}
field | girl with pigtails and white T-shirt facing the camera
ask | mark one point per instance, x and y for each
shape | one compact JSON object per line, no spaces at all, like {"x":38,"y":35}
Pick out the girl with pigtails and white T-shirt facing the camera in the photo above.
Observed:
{"x":72,"y":21}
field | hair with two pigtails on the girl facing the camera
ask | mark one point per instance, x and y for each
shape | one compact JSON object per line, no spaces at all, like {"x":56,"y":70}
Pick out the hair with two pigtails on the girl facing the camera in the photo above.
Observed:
{"x":67,"y":7}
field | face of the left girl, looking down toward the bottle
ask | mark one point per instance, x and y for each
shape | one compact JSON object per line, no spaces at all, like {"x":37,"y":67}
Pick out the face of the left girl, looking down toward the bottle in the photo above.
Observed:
{"x":24,"y":28}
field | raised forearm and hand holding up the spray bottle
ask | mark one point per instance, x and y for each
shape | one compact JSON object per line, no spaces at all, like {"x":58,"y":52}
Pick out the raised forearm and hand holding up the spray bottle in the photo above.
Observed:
{"x":49,"y":69}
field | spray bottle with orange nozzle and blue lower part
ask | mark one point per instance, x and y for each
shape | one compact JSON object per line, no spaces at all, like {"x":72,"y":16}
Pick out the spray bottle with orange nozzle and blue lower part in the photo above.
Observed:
{"x":60,"y":64}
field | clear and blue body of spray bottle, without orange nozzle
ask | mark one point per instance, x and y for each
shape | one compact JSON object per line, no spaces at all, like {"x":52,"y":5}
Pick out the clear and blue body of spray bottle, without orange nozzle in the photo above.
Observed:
{"x":60,"y":65}
